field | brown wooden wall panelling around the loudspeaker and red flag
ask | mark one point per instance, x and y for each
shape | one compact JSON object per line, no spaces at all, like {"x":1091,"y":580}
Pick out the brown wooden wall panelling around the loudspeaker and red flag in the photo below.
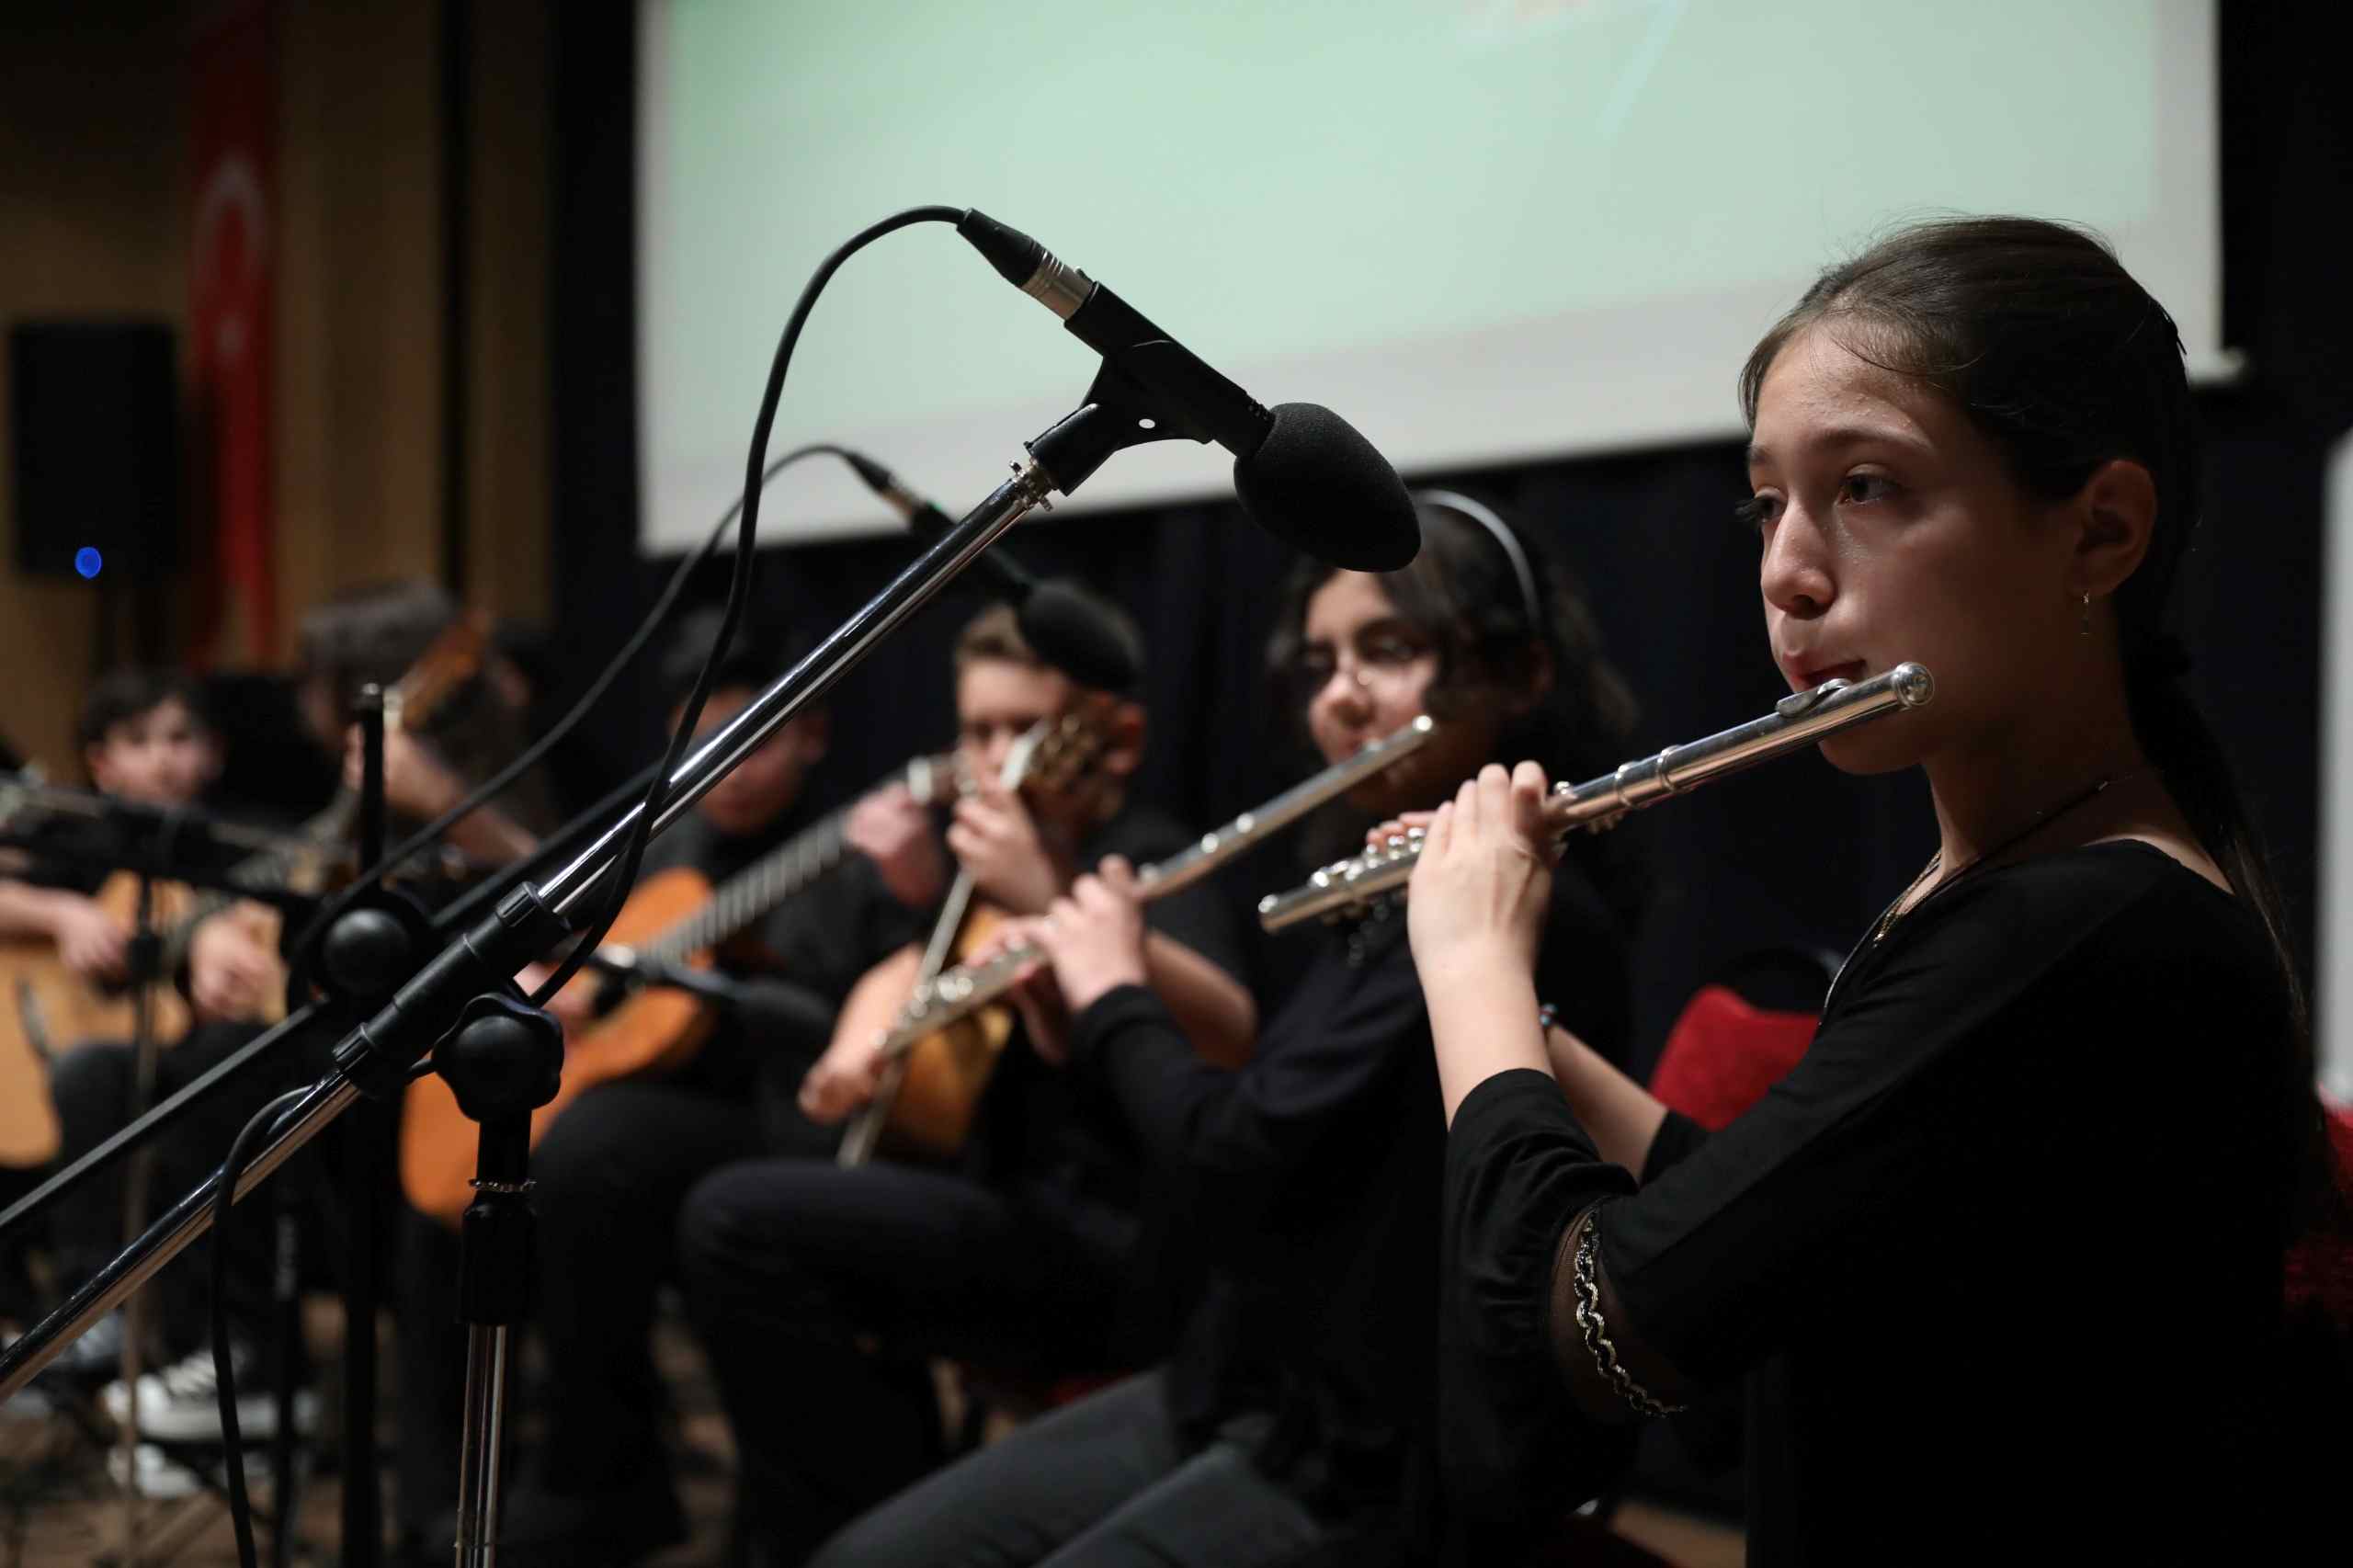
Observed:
{"x":93,"y":211}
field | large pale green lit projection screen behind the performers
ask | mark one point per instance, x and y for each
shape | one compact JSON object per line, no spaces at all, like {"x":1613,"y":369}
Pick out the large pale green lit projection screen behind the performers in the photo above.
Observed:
{"x":1479,"y":230}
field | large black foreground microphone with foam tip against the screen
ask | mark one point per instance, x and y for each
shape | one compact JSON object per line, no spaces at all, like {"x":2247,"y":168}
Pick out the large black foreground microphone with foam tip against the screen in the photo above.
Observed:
{"x":1302,"y":472}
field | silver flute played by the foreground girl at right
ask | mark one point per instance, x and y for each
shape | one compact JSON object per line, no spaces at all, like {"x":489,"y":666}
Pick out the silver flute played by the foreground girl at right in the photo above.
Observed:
{"x":1797,"y":722}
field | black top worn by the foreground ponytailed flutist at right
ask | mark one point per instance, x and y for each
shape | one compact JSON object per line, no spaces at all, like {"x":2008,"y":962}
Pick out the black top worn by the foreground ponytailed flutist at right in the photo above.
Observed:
{"x":2001,"y":1254}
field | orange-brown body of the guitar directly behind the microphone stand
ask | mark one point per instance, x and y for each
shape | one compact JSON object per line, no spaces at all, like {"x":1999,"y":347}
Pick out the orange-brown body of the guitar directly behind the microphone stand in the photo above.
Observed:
{"x":651,"y":1032}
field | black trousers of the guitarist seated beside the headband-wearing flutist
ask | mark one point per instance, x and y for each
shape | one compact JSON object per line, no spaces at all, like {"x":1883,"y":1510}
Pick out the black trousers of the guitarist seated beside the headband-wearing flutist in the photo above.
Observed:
{"x":822,"y":1294}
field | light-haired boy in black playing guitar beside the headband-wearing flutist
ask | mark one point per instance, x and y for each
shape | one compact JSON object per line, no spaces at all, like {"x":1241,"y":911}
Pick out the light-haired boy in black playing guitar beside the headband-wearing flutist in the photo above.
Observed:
{"x":822,"y":1294}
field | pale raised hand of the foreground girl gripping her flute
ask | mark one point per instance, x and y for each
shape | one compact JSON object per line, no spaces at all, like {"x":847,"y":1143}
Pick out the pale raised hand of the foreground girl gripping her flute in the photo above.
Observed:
{"x":1484,"y":879}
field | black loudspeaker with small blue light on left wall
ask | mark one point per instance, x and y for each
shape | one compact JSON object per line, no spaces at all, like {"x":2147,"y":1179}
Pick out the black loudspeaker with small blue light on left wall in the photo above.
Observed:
{"x":95,"y":449}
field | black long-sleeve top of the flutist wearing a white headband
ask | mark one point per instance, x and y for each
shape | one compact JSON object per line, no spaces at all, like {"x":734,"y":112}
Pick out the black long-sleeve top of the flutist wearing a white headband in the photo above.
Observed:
{"x":1309,"y":1192}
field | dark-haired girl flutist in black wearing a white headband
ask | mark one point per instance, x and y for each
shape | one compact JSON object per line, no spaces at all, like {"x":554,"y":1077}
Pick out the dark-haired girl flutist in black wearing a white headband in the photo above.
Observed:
{"x":1298,"y":1414}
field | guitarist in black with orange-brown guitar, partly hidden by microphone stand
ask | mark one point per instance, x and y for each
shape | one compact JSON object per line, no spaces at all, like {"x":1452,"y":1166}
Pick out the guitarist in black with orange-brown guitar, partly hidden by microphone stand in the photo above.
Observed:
{"x":615,"y":1164}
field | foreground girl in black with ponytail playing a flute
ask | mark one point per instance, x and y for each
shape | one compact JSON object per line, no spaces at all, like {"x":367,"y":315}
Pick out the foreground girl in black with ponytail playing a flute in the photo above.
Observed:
{"x":2001,"y":1256}
